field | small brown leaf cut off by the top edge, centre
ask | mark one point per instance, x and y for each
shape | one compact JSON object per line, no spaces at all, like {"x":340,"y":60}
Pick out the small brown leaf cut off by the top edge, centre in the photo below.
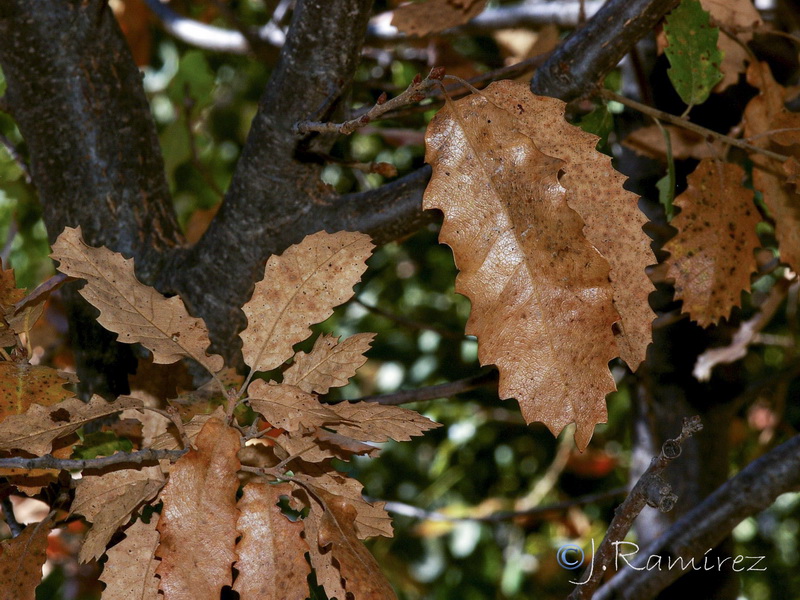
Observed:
{"x":433,"y":16}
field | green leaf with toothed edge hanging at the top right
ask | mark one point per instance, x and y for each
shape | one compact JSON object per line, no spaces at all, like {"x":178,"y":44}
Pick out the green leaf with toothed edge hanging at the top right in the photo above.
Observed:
{"x":692,"y":52}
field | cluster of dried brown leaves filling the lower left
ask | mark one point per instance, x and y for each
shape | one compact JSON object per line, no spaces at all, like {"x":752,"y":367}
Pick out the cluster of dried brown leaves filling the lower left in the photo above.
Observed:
{"x":277,"y":463}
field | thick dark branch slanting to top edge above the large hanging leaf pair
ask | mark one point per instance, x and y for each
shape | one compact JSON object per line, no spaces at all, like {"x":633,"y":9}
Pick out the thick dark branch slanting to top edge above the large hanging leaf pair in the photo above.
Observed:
{"x":589,"y":54}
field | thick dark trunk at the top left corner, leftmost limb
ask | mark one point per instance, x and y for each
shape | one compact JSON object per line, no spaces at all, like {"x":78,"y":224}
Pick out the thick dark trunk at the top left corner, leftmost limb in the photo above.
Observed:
{"x":77,"y":97}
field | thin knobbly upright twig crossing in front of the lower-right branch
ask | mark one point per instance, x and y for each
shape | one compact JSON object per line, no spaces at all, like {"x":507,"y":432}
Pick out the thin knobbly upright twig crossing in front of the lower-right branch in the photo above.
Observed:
{"x":650,"y":490}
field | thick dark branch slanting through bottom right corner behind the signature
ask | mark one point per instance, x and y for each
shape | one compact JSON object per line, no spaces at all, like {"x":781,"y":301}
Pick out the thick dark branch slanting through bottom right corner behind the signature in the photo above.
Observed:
{"x":752,"y":490}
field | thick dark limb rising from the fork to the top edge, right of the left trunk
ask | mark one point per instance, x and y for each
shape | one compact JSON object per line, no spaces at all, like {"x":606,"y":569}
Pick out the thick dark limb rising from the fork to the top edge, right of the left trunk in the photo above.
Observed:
{"x":276,"y":196}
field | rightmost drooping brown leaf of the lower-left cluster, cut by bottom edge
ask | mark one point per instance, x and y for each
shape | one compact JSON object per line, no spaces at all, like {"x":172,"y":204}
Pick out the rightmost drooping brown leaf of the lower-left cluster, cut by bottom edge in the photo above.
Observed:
{"x":342,"y":563}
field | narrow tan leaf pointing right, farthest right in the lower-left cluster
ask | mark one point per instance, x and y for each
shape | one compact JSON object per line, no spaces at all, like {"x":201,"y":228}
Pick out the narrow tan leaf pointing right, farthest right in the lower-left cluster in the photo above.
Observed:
{"x":373,"y":422}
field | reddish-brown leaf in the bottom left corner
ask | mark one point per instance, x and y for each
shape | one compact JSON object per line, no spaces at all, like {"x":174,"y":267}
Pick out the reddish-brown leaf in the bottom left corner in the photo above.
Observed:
{"x":21,"y":561}
